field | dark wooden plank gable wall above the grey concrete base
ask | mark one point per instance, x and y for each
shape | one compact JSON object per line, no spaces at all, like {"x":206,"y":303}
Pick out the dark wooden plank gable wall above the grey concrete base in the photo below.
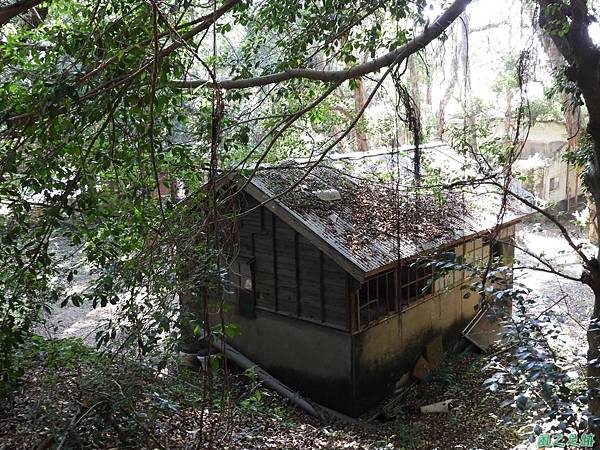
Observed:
{"x":292,"y":276}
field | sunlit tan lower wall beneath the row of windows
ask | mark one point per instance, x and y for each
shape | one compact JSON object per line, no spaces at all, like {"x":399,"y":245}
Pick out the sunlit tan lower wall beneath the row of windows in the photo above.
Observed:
{"x":383,"y":352}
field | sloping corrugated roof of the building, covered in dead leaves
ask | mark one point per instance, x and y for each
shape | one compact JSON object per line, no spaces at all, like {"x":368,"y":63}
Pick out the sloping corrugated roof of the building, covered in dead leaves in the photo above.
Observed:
{"x":361,"y":209}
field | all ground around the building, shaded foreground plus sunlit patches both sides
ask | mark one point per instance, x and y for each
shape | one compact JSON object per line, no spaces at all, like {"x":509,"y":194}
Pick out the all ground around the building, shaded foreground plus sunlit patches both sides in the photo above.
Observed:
{"x":75,"y":397}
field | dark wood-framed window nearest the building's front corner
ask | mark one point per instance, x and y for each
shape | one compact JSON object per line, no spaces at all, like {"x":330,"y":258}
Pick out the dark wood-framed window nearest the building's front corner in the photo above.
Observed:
{"x":377,"y":298}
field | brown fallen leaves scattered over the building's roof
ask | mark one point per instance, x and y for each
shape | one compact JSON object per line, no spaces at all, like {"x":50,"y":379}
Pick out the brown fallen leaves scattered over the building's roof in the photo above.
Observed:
{"x":375,"y":209}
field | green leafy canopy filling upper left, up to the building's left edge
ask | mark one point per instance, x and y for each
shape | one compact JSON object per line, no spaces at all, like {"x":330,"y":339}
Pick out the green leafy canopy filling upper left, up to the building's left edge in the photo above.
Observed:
{"x":91,"y":127}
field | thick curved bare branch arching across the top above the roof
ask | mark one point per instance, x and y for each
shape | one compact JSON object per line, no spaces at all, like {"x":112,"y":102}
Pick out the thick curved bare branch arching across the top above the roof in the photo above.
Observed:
{"x":429,"y":34}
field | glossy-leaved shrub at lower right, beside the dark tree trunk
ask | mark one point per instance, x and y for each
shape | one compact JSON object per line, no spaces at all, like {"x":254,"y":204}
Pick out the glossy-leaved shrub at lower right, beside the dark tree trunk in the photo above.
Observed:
{"x":540,"y":381}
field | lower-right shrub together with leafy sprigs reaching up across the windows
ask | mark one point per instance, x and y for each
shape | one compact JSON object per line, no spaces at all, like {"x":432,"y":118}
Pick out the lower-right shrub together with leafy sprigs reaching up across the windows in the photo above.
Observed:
{"x":538,"y":381}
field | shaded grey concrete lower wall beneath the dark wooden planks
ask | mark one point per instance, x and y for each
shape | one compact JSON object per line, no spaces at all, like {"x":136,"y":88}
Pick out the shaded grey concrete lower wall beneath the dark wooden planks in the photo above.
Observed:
{"x":315,"y":360}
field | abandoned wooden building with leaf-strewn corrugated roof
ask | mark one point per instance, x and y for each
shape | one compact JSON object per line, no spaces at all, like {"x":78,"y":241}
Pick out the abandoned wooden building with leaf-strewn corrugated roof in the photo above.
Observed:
{"x":327,"y":293}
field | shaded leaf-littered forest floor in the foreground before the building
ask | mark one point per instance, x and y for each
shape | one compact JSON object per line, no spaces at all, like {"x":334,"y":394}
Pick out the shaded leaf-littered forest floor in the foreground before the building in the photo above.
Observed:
{"x":74,"y":397}
